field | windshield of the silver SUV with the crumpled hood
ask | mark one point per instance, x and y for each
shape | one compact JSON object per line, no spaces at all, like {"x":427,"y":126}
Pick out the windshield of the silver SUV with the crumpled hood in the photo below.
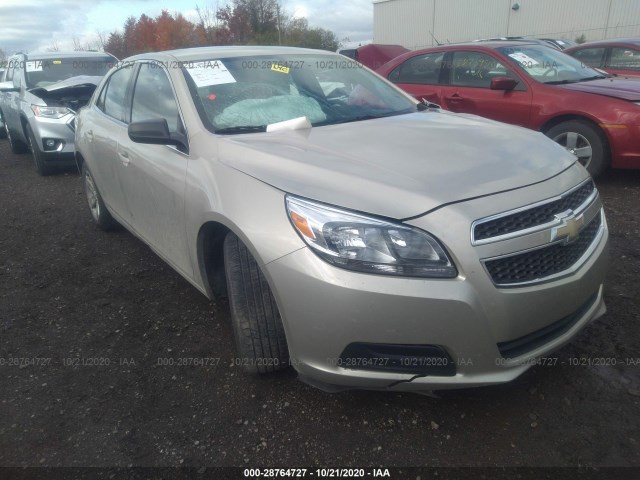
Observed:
{"x":42,"y":73}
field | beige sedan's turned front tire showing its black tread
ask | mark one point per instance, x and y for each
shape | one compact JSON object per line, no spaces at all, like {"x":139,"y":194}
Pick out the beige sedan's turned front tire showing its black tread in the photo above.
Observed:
{"x":259,"y":333}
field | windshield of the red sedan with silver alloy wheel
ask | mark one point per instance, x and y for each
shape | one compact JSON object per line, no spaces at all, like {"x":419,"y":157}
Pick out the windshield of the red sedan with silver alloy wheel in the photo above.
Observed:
{"x":549,"y":66}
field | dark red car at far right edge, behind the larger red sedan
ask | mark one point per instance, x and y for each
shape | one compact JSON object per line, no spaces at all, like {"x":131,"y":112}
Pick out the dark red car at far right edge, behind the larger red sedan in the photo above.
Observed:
{"x":618,"y":57}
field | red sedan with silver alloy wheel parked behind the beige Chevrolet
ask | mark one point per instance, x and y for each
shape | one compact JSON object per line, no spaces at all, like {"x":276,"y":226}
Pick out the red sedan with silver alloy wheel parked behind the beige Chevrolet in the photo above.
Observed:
{"x":594,"y":117}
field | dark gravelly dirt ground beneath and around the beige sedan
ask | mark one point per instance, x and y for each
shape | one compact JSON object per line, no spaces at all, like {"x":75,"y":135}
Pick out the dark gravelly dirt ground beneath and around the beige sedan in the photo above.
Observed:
{"x":71,"y":294}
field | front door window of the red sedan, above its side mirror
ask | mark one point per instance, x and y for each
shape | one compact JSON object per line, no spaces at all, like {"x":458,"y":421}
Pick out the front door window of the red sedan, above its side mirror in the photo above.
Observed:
{"x":474,"y":69}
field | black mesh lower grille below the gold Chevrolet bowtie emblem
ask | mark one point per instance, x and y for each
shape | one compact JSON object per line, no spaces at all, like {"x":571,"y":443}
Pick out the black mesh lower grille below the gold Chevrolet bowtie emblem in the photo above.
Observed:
{"x":543,"y":262}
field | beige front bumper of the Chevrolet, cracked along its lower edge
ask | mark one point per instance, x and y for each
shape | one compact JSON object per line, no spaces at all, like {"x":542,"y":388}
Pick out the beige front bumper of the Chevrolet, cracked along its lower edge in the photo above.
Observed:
{"x":326,"y":309}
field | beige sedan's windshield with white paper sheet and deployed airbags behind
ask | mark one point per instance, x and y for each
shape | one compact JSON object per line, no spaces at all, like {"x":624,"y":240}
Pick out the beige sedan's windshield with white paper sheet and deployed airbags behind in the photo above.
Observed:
{"x":243,"y":94}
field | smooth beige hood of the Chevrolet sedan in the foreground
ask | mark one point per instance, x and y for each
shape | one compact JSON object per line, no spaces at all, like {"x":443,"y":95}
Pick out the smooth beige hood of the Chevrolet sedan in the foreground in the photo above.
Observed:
{"x":399,"y":166}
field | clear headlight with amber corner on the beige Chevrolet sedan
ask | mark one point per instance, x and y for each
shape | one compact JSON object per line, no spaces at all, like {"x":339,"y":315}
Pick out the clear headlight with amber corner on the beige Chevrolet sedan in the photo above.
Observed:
{"x":368,"y":245}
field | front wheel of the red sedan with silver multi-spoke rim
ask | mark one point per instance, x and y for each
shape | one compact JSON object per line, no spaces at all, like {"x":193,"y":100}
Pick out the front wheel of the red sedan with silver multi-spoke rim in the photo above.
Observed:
{"x":584,"y":140}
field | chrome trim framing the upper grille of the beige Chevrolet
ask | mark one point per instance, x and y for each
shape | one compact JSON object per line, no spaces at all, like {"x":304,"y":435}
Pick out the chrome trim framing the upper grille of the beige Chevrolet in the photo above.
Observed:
{"x":528,"y":208}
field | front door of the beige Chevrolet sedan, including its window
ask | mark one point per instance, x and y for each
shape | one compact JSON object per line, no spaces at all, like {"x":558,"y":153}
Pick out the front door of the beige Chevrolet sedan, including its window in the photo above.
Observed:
{"x":153,"y":176}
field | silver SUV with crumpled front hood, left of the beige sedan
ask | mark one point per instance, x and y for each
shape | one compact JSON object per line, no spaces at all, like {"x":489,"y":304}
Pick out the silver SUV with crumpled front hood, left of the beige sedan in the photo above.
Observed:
{"x":39,"y":97}
